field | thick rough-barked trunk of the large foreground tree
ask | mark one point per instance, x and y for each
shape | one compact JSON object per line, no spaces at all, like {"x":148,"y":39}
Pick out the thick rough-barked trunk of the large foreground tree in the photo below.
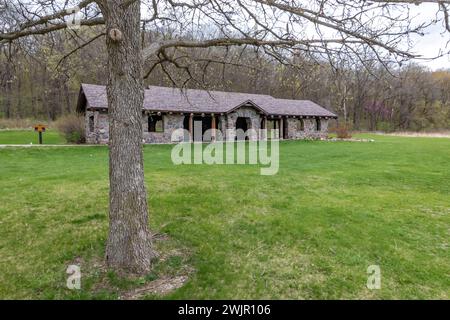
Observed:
{"x":129,"y":247}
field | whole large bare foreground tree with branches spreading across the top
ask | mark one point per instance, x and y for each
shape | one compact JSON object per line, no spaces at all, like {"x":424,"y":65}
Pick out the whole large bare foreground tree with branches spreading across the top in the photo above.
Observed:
{"x":147,"y":36}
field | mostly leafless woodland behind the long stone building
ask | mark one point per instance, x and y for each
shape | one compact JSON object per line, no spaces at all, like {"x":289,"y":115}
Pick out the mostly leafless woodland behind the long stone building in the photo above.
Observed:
{"x":38,"y":80}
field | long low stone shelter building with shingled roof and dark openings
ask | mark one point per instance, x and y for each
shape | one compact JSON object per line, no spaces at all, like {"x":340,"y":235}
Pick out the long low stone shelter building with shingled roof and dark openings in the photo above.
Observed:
{"x":167,"y":109}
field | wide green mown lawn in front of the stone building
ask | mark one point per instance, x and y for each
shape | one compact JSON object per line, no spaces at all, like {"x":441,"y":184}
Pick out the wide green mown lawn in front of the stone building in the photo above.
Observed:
{"x":309,"y":232}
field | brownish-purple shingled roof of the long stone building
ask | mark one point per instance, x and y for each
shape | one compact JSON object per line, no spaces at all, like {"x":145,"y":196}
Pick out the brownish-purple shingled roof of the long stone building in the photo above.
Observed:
{"x":166,"y":99}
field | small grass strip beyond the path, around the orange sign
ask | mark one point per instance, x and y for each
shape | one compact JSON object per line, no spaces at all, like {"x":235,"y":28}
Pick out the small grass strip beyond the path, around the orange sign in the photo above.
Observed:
{"x":30,"y":137}
